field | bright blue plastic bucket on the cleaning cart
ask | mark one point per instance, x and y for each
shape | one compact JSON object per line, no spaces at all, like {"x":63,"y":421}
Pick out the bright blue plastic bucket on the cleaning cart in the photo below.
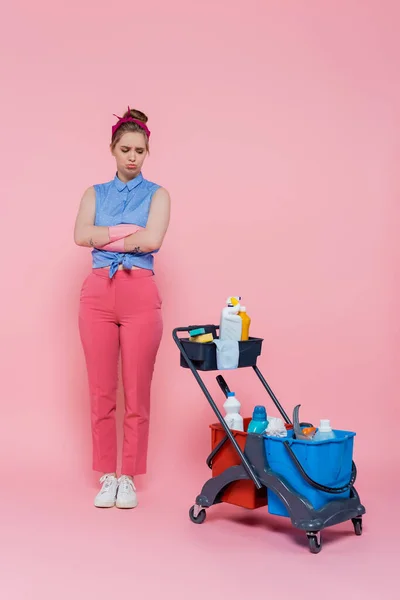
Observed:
{"x":327,"y":462}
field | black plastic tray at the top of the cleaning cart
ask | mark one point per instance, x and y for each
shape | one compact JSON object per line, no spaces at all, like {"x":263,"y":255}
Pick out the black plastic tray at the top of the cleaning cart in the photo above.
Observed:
{"x":204,"y":356}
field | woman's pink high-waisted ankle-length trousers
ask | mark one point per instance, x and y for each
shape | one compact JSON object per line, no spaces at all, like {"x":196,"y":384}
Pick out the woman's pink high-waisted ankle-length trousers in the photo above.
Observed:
{"x":122,"y":313}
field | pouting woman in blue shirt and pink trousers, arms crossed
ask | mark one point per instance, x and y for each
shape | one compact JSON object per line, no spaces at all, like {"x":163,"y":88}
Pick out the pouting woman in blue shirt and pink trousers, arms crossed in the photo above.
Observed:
{"x":124,"y":221}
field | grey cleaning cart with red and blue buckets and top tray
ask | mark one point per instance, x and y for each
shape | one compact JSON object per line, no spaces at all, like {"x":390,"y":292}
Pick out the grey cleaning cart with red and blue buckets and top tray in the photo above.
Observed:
{"x":312,"y":483}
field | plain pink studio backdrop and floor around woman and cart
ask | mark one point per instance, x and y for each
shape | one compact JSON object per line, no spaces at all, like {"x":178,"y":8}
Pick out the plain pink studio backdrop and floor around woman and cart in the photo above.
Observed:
{"x":276,"y":130}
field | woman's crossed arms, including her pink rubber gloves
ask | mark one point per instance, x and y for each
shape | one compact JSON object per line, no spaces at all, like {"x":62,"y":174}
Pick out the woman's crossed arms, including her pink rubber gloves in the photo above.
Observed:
{"x":123,"y":238}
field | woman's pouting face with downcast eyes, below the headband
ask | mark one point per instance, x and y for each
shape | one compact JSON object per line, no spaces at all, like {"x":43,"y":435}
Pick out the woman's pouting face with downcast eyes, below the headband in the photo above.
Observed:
{"x":129,"y":154}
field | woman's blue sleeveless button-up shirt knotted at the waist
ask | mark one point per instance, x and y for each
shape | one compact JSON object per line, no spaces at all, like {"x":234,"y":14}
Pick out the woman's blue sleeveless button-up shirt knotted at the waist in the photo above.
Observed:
{"x":123,"y":203}
